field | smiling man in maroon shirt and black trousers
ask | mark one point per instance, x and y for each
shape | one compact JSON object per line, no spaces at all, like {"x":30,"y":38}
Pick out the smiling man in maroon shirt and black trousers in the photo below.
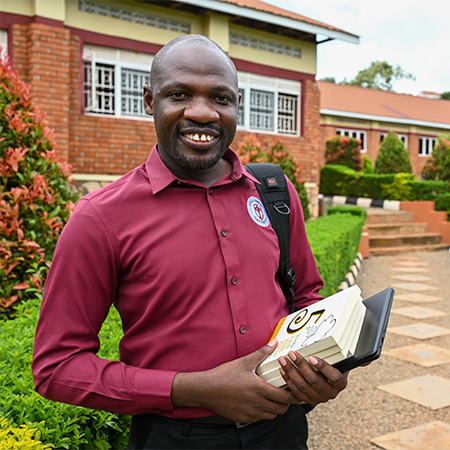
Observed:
{"x":193,"y":273}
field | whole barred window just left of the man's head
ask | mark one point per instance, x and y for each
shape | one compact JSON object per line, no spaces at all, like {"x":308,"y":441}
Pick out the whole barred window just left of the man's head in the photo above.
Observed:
{"x":113,"y":81}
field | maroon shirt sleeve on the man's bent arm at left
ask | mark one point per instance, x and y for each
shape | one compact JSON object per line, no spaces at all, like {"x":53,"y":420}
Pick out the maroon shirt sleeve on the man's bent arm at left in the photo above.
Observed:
{"x":79,"y":291}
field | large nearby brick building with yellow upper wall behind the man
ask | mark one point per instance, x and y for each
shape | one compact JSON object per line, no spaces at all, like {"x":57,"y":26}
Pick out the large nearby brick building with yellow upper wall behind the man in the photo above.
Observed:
{"x":87,"y":61}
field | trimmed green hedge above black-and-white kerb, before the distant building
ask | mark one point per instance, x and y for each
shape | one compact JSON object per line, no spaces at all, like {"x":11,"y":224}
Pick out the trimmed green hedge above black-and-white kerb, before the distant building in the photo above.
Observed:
{"x":341,"y":180}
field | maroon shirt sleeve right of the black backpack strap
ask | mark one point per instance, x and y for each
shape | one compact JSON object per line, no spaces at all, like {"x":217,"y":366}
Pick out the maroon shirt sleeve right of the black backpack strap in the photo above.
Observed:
{"x":308,"y":280}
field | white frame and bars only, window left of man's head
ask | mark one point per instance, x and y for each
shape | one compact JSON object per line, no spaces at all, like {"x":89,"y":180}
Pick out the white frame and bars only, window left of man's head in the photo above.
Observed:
{"x":119,"y":60}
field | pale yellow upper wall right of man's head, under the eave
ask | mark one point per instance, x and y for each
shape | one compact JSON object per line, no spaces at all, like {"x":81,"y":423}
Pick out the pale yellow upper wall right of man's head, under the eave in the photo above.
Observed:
{"x":307,"y":63}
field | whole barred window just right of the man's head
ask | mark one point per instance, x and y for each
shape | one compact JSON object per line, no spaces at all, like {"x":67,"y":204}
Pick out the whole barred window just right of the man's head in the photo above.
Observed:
{"x":269,"y":104}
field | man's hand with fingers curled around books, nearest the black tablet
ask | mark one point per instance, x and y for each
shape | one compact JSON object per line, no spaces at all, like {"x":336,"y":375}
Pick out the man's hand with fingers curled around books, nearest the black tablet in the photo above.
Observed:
{"x":308,"y":385}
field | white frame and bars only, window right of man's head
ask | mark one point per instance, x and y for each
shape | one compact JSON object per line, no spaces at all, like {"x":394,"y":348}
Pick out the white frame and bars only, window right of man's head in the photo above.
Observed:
{"x":278,"y":88}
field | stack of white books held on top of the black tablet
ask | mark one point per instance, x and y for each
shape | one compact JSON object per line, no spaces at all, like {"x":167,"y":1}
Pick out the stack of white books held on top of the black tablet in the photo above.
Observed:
{"x":329,"y":329}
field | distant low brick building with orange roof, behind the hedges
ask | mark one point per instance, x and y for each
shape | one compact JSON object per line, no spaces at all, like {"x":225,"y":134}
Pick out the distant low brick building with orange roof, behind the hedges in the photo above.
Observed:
{"x":369,"y":114}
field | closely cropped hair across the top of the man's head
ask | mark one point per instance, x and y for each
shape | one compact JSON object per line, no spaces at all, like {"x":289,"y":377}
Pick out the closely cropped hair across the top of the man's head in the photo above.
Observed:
{"x":197,"y":39}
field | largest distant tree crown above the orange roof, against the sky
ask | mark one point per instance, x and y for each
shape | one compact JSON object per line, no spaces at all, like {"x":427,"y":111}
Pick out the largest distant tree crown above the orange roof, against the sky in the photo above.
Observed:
{"x":379,"y":75}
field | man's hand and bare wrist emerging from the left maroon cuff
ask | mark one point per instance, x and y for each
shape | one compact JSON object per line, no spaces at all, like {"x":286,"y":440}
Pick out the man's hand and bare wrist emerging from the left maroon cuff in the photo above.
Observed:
{"x":233,"y":390}
